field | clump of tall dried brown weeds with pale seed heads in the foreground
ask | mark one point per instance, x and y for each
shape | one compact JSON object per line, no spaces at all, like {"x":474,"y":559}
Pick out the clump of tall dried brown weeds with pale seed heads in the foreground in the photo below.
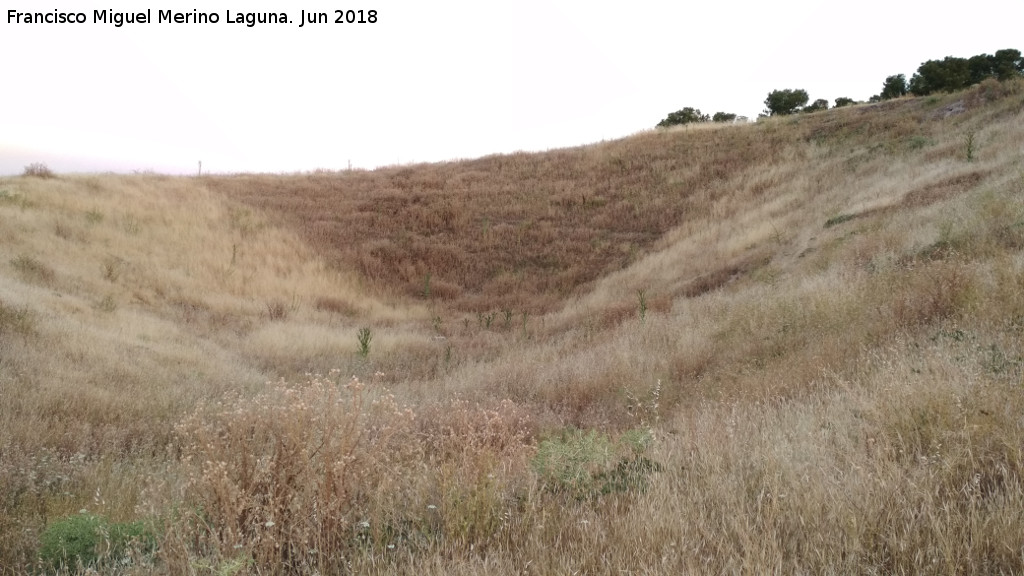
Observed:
{"x":306,"y":475}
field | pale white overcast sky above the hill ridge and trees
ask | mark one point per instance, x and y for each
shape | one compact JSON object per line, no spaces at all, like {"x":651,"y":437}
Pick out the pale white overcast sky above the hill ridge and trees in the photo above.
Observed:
{"x":438,"y":80}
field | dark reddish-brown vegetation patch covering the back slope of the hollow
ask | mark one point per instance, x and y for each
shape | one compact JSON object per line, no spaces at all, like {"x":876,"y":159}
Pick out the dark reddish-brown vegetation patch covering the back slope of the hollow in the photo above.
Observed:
{"x":519,"y":231}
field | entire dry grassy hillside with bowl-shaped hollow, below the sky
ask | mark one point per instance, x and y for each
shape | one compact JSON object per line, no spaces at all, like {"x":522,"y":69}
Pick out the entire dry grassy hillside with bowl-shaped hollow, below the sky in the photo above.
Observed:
{"x":831,"y":358}
